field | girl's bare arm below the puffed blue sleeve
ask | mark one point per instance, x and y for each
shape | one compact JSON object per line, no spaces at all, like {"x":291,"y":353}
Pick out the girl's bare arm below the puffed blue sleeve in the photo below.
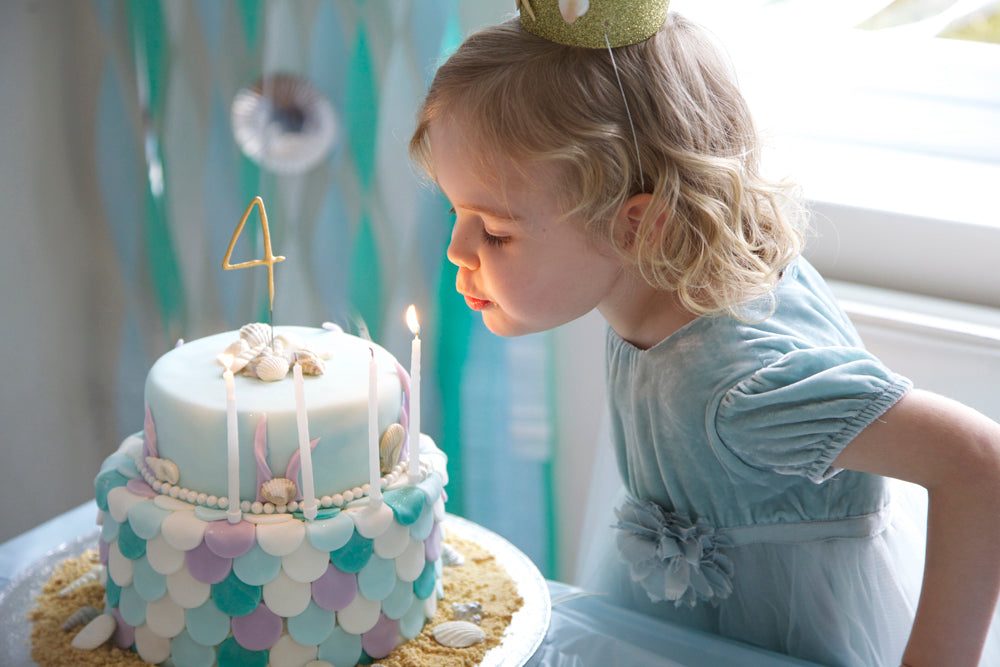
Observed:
{"x":954,"y":452}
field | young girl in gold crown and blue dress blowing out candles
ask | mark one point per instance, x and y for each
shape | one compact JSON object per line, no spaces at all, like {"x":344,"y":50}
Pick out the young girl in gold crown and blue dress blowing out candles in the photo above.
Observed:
{"x":752,"y":429}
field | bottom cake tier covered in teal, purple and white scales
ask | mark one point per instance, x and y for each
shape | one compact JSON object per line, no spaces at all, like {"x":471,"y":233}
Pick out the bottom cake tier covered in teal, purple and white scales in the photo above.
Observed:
{"x":188,"y":587}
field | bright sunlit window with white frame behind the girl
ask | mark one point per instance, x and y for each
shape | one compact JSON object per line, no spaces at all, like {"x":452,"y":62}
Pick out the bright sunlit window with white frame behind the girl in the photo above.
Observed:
{"x":889,"y":121}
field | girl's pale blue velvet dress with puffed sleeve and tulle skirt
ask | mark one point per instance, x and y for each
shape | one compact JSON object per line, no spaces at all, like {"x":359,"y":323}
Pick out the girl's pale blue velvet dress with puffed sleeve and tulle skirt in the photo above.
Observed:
{"x":734,"y":520}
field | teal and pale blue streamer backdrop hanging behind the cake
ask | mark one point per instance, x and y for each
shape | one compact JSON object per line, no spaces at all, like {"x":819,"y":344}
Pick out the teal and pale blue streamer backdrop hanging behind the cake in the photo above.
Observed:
{"x":363,"y":235}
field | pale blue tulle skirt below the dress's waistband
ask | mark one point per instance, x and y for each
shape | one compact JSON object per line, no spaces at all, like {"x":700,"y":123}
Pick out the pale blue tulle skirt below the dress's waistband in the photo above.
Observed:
{"x":846,"y":601}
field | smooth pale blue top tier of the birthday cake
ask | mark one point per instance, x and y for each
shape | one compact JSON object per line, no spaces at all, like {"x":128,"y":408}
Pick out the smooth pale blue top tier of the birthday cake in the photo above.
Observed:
{"x":186,"y":399}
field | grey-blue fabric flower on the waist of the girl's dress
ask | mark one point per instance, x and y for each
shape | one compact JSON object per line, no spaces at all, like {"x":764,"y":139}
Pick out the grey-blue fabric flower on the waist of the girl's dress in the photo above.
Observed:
{"x":671,"y":557}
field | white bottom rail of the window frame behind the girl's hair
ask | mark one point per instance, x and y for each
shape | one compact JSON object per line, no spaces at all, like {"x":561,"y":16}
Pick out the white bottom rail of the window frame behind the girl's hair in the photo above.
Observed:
{"x":903,"y":221}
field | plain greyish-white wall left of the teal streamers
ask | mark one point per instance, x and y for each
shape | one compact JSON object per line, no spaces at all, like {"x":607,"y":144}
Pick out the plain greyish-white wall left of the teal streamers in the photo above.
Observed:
{"x":54,"y":400}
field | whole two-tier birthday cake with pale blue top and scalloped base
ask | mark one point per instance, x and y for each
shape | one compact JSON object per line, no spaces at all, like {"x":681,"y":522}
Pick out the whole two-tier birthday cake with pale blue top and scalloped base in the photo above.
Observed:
{"x":189,"y":584}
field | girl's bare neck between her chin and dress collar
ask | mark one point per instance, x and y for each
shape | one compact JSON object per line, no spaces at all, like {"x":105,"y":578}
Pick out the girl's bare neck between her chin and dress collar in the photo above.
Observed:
{"x":642,"y":315}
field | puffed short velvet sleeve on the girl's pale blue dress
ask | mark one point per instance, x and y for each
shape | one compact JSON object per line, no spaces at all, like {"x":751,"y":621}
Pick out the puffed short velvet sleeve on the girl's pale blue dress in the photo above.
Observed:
{"x":795,"y":415}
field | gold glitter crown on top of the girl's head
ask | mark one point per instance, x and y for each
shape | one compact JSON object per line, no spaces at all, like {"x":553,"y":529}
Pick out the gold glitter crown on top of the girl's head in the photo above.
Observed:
{"x":593,"y":23}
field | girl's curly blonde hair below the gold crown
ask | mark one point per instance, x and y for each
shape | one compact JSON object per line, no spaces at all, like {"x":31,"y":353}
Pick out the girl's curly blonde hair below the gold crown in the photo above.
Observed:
{"x":716,"y":231}
